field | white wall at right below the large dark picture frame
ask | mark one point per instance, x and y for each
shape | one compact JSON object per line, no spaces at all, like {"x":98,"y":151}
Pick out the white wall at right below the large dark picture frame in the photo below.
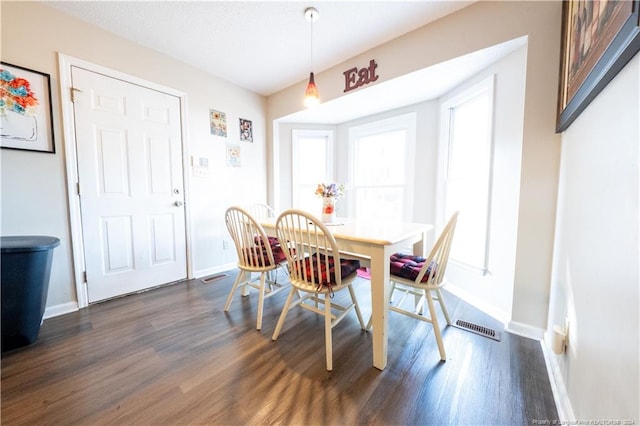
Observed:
{"x":595,"y":281}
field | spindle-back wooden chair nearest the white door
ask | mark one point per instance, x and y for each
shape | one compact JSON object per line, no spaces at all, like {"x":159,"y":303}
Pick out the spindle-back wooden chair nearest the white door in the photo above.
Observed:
{"x":256,"y":253}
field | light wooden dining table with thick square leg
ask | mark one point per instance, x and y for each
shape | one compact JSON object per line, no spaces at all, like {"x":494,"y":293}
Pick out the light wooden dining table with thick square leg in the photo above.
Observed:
{"x":374,"y":241}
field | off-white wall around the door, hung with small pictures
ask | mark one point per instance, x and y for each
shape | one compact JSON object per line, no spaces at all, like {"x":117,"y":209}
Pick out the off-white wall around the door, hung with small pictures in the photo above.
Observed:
{"x":32,"y":205}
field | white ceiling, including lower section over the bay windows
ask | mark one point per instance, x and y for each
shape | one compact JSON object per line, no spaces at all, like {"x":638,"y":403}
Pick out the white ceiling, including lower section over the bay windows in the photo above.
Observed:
{"x":264,"y":46}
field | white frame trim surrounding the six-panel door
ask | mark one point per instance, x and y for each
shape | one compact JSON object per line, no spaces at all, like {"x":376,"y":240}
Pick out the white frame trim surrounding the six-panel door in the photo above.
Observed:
{"x":65,"y":63}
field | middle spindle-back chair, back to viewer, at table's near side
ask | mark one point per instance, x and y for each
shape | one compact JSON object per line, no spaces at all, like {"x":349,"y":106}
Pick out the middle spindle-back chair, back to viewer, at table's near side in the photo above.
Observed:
{"x":315,"y":270}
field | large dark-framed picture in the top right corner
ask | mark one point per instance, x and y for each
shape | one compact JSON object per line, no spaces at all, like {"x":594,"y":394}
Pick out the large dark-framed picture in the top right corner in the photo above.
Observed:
{"x":598,"y":40}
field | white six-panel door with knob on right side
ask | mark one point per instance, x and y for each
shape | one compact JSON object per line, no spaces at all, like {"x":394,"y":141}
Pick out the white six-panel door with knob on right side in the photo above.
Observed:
{"x":129,"y":150}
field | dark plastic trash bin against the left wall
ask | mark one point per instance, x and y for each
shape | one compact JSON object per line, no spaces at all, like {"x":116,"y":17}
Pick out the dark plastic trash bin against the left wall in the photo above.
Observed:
{"x":25,"y":266}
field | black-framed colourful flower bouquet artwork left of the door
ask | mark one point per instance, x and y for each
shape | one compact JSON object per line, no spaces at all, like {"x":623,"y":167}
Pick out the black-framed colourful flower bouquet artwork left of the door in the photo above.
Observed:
{"x":25,"y":109}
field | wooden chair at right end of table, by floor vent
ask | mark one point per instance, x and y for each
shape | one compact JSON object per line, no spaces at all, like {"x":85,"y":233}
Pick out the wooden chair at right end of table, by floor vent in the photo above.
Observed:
{"x":423,"y":278}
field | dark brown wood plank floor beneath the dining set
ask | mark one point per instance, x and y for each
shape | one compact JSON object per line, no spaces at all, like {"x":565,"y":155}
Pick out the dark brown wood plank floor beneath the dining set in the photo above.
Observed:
{"x":171,"y":356}
